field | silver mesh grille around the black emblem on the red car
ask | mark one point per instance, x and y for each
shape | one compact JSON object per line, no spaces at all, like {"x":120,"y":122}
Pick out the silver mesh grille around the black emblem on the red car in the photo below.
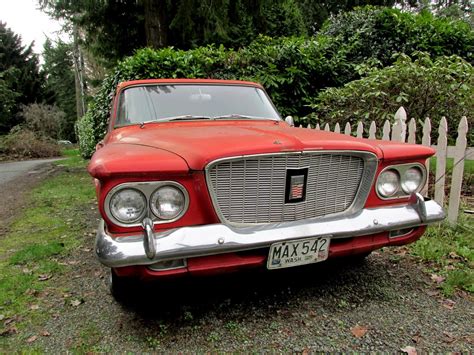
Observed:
{"x":251,"y":189}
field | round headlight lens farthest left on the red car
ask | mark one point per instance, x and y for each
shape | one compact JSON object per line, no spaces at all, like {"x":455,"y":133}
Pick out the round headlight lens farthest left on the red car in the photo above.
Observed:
{"x":128,"y":205}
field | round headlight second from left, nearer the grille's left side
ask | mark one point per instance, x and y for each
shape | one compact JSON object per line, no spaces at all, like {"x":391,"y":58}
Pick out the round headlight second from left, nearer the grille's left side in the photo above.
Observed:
{"x":168,"y":202}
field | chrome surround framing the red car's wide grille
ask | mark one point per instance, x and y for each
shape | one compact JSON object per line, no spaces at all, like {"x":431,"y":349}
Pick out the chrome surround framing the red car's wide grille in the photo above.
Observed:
{"x":368,"y":177}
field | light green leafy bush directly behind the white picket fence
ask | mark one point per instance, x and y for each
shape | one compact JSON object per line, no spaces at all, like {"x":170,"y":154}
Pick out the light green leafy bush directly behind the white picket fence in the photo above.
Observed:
{"x":425,"y":87}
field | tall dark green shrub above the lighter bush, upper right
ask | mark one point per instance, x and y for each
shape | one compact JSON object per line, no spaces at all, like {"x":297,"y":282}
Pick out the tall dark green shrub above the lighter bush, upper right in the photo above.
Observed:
{"x":379,"y":33}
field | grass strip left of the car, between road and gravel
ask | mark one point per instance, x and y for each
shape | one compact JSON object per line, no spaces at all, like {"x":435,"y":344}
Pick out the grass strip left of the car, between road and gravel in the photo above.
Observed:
{"x":33,"y":252}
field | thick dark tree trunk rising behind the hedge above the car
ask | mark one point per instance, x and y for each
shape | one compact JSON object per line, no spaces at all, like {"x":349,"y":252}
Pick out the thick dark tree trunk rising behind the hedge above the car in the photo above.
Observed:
{"x":156,"y":27}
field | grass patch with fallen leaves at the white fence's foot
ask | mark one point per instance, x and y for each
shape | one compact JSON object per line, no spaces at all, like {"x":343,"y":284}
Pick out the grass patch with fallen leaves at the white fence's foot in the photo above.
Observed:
{"x":449,"y":252}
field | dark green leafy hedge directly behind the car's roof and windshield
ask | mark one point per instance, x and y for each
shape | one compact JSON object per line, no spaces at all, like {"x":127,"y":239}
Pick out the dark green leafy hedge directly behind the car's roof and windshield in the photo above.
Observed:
{"x":284,"y":66}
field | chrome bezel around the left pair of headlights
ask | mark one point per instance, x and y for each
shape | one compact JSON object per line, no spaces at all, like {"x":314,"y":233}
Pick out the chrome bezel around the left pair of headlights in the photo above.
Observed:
{"x":147,"y":188}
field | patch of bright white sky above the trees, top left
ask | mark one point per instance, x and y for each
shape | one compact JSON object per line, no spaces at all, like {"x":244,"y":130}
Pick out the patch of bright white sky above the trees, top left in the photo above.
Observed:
{"x":24,"y":18}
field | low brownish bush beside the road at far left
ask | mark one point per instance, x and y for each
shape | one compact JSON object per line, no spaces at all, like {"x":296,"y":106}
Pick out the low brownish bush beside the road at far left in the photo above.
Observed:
{"x":23,"y":143}
